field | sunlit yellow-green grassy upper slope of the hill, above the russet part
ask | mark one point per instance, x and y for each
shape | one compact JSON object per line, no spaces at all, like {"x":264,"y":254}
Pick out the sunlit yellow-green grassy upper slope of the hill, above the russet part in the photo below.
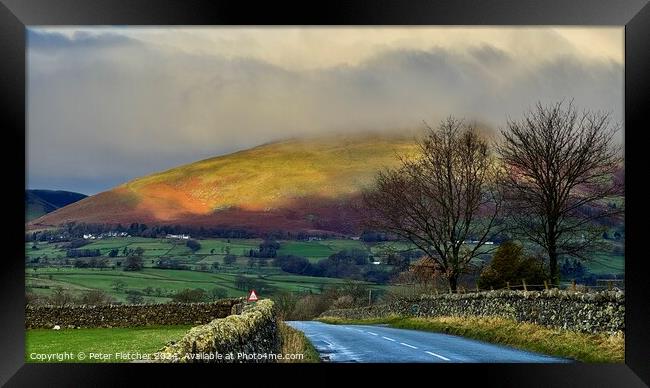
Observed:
{"x":307,"y":168}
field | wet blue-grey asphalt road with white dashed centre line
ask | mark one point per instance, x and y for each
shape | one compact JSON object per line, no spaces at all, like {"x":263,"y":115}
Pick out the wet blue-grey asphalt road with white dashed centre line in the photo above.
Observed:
{"x":377,"y":343}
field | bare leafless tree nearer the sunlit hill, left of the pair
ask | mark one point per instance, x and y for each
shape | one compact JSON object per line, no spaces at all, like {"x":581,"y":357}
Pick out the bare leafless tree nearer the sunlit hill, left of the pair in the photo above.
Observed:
{"x":441,"y":198}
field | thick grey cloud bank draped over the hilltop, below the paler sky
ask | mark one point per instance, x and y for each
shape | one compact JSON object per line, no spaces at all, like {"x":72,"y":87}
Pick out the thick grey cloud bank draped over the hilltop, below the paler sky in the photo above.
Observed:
{"x":109,"y":113}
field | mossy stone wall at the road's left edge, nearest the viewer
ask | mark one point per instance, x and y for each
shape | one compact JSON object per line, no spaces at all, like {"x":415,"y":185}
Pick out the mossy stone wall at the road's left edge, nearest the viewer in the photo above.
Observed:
{"x":247,"y":337}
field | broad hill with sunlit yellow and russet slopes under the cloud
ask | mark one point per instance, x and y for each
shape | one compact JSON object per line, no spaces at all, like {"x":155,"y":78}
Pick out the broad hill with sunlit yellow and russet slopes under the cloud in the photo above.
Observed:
{"x":292,"y":185}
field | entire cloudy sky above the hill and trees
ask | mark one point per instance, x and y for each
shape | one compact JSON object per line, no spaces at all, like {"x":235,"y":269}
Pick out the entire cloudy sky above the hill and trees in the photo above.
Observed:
{"x":109,"y":104}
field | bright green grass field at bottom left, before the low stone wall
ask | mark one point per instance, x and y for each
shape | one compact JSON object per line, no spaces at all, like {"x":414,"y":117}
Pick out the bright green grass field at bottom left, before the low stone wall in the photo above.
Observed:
{"x":143,"y":340}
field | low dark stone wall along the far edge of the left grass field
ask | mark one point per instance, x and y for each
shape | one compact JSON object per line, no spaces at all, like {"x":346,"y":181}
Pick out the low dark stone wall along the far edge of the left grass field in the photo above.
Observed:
{"x":128,"y":315}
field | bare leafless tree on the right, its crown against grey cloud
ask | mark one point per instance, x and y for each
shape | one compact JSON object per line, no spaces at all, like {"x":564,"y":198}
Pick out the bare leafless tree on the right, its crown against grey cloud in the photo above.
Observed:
{"x":560,"y":171}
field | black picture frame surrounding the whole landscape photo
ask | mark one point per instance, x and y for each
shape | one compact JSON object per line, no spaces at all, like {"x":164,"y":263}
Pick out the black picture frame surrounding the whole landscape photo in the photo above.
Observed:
{"x":15,"y":15}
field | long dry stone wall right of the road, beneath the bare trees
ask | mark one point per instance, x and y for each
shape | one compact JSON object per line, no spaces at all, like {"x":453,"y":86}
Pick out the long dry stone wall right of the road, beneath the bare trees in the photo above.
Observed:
{"x":587,"y":312}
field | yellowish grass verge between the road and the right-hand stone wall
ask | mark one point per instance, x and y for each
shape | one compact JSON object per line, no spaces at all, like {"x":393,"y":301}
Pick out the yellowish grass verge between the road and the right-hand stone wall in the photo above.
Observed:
{"x":600,"y":348}
